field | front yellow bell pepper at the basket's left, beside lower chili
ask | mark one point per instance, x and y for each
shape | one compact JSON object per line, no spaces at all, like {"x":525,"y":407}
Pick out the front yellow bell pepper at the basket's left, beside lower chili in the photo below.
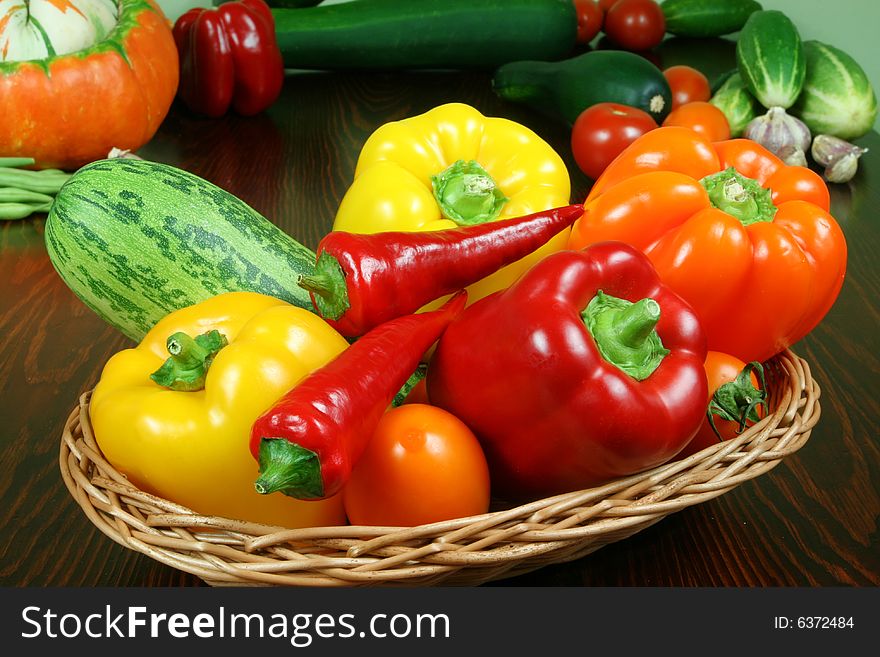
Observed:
{"x":186,"y":439}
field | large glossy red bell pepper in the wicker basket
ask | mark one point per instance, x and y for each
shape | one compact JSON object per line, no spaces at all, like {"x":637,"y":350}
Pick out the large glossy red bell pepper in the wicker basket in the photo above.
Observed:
{"x":586,"y":369}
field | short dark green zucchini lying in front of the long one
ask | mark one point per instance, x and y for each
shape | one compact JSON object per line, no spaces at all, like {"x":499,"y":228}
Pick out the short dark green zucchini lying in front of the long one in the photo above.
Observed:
{"x":564,"y":89}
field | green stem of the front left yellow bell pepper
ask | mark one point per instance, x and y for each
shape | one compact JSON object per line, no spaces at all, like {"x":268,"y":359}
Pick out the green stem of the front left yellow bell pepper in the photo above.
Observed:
{"x":189,"y":360}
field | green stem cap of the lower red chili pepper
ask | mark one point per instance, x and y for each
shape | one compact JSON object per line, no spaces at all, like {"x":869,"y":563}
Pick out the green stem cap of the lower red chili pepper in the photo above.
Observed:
{"x":289,"y":468}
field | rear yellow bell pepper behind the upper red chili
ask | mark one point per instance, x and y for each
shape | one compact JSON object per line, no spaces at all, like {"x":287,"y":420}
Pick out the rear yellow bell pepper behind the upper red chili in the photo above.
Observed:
{"x":418,"y":174}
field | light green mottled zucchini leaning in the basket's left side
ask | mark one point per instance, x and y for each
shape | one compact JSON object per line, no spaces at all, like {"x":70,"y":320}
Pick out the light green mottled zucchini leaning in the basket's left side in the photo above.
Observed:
{"x":136,"y":240}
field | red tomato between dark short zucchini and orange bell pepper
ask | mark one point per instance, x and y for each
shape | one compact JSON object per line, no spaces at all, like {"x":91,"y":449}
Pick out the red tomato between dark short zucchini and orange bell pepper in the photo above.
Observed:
{"x":602,"y":131}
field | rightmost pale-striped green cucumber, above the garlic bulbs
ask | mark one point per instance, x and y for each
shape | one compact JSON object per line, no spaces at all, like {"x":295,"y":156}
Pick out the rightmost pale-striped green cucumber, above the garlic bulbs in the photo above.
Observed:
{"x":837,"y":98}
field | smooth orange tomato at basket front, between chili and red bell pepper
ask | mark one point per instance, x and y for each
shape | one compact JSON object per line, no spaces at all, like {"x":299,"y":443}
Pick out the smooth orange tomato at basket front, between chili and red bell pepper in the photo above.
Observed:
{"x":421,"y":465}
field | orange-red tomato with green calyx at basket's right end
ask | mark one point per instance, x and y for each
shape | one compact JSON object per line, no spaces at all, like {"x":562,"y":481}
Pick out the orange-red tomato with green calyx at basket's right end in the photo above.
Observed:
{"x":723,"y":369}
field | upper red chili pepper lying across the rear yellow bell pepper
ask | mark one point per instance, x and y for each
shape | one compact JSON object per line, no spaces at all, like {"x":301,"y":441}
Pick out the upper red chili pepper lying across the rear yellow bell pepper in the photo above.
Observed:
{"x":363,"y":280}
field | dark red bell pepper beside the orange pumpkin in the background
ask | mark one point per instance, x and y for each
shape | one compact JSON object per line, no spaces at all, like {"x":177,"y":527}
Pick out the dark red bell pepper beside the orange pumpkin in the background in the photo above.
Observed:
{"x":229,"y":56}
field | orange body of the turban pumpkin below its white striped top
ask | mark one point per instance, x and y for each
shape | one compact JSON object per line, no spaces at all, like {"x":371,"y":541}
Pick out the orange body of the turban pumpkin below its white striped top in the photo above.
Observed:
{"x":67,"y":110}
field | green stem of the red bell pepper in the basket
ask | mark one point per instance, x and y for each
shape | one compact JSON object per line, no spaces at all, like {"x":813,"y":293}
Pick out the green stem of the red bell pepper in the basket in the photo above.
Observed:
{"x":625,"y":333}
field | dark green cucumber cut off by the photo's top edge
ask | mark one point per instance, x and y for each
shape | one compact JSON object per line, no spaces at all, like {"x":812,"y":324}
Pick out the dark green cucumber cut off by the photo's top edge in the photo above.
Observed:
{"x":707,"y":18}
